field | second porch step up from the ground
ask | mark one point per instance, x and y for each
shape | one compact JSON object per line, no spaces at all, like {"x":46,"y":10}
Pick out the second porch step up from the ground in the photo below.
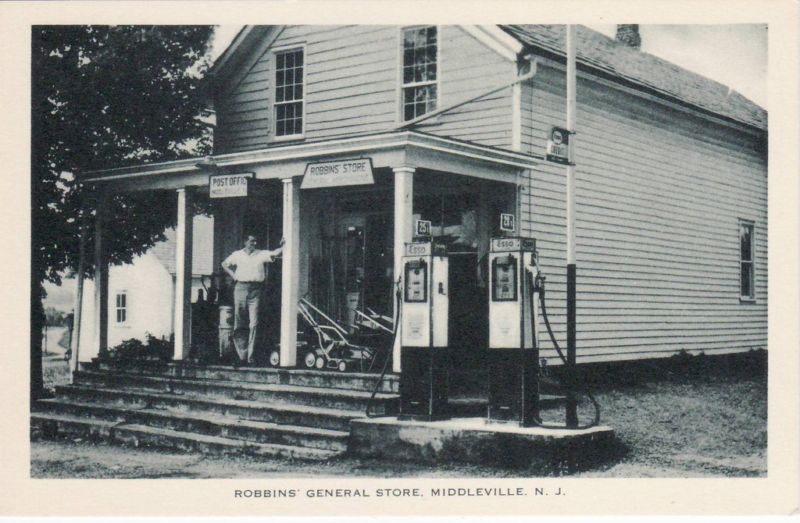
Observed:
{"x":209,"y":424}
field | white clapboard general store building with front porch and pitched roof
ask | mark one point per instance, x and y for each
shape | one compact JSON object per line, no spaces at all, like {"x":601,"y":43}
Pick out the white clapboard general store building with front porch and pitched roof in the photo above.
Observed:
{"x":338,"y":138}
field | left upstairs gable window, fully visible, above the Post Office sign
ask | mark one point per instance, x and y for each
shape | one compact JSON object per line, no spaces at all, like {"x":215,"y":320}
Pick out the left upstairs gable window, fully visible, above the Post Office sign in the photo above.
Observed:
{"x":289,"y":93}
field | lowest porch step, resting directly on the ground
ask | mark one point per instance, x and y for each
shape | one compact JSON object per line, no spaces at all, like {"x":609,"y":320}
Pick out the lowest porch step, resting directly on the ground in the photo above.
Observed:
{"x":143,"y":435}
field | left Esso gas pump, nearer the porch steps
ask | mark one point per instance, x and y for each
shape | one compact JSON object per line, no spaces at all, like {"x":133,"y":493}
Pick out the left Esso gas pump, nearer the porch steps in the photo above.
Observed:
{"x":423,"y":332}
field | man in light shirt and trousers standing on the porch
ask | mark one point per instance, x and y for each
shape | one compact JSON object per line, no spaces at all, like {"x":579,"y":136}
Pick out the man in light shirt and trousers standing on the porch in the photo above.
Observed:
{"x":248,"y":269}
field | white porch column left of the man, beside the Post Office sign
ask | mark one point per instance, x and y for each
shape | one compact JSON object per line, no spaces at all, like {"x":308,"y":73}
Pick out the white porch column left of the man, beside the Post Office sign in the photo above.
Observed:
{"x":183,"y":276}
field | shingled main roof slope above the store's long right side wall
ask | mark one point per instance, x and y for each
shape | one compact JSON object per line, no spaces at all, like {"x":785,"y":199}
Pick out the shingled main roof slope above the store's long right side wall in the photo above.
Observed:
{"x":617,"y":59}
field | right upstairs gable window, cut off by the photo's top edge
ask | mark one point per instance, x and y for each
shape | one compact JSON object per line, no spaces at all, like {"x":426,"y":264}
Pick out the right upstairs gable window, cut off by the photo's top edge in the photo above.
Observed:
{"x":420,"y":74}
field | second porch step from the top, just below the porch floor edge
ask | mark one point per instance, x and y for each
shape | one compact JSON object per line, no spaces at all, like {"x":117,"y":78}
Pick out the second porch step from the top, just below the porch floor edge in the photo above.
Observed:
{"x":267,"y":393}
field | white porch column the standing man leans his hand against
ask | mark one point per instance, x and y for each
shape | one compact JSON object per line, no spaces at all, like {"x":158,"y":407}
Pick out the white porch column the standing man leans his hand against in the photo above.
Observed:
{"x":290,"y":276}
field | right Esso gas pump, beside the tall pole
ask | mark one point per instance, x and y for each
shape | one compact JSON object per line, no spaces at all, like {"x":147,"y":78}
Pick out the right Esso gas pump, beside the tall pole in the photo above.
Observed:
{"x":513,"y":332}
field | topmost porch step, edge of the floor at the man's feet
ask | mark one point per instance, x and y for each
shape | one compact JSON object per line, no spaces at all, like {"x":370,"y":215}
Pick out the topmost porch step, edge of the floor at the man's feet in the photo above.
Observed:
{"x":329,"y":379}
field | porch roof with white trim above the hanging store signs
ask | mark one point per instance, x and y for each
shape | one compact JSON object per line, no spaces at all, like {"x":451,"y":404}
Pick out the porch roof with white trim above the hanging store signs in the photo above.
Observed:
{"x":392,"y":149}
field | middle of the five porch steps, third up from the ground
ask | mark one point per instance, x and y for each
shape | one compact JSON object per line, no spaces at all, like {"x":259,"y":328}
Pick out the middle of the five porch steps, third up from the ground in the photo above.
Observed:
{"x":333,"y":419}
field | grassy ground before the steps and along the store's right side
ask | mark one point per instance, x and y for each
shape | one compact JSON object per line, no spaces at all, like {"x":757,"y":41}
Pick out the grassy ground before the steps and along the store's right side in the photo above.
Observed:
{"x":687,"y":417}
